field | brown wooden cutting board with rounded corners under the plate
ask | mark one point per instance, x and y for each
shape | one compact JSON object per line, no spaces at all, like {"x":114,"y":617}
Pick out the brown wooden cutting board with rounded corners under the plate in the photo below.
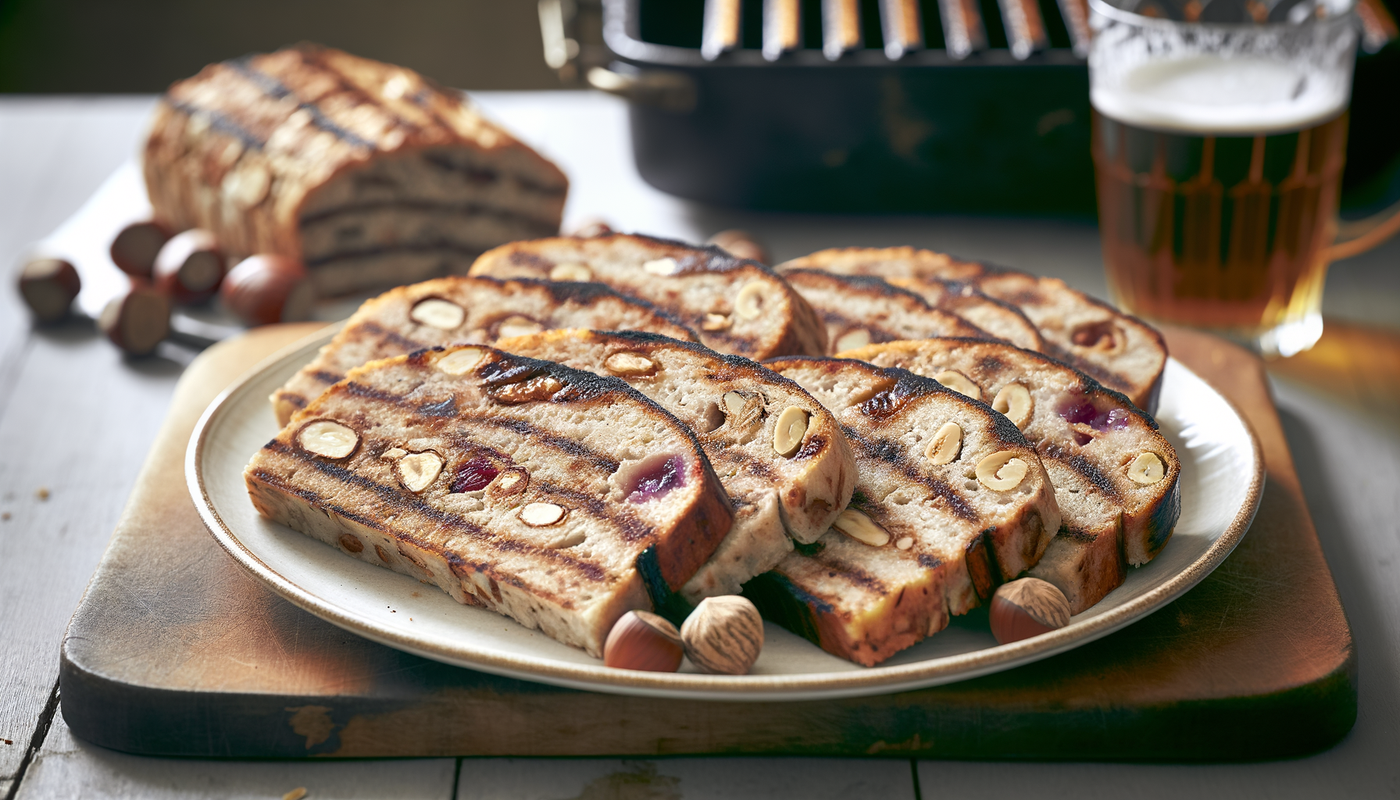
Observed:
{"x":176,"y":651}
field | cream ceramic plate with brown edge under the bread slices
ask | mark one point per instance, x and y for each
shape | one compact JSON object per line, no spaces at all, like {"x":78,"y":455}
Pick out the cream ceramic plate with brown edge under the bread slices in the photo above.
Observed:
{"x":1221,"y":483}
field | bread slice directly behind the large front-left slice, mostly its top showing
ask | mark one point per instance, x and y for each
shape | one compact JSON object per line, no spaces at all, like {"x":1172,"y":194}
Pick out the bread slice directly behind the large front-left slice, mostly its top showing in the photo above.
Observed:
{"x":464,"y":310}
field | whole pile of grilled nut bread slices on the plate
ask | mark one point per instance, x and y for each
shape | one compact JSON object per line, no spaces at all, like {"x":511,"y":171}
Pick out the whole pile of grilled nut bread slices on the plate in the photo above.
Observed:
{"x":587,"y":427}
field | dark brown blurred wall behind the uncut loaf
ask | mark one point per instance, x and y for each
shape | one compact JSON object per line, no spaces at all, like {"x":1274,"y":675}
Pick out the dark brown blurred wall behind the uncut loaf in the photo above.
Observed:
{"x":142,"y":47}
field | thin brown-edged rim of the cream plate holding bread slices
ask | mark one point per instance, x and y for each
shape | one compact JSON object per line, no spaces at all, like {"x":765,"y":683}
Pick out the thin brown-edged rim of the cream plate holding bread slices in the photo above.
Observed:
{"x":689,"y":686}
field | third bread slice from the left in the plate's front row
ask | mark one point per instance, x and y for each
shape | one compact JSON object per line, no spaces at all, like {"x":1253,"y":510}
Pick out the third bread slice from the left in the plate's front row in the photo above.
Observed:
{"x":950,"y":502}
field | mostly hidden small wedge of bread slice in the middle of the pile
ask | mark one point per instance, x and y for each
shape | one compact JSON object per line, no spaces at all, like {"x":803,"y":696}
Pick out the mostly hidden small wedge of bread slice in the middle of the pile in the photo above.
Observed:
{"x":860,"y":310}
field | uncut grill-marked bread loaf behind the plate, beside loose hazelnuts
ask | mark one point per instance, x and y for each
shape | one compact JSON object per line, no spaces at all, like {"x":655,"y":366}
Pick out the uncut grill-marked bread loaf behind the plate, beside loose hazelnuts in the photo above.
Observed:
{"x":369,"y":173}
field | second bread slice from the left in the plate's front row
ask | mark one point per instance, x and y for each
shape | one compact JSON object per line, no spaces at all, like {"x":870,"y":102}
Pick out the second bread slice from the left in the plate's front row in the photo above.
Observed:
{"x":783,"y":487}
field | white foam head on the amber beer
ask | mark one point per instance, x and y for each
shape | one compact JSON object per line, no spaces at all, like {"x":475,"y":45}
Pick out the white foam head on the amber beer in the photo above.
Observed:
{"x":1216,"y":95}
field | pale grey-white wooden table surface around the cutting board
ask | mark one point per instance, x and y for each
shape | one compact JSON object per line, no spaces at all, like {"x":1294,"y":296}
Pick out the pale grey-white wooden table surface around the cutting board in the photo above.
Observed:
{"x":76,"y":421}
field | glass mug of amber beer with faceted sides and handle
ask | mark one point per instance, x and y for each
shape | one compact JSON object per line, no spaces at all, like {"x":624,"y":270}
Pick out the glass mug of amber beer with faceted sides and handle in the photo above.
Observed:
{"x":1220,"y":131}
